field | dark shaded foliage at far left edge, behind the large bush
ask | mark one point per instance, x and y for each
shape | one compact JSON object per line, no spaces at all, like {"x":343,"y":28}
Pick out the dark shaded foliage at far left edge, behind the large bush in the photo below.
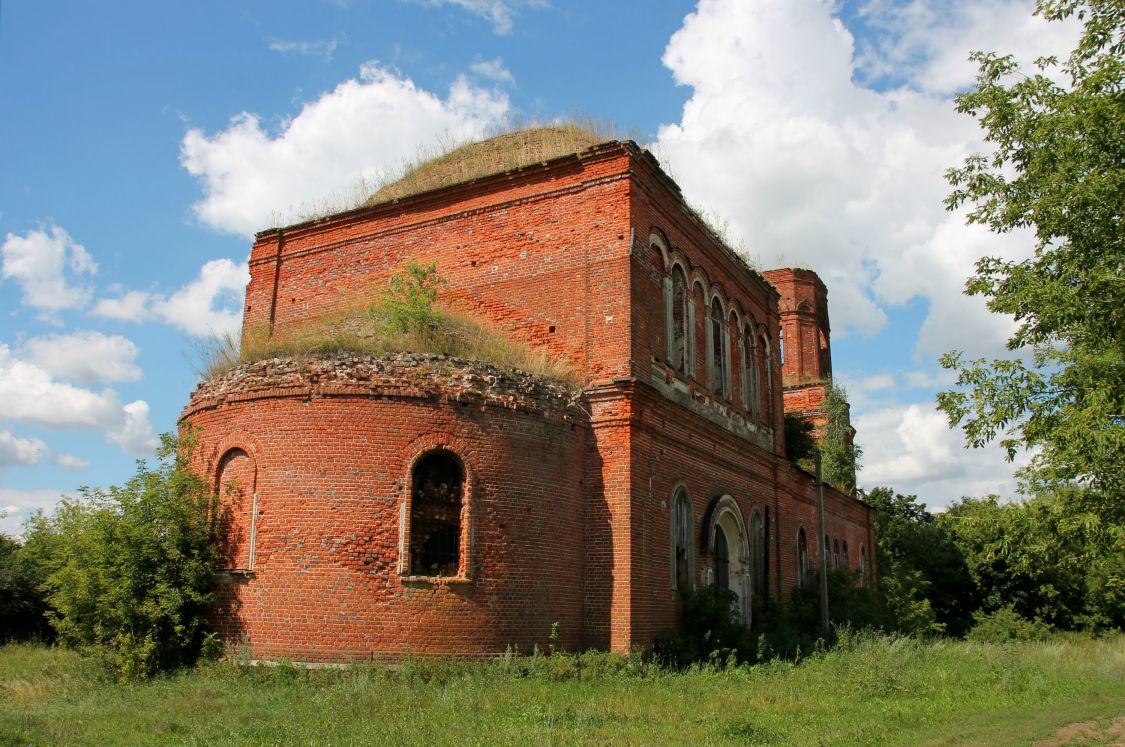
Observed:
{"x":23,"y":609}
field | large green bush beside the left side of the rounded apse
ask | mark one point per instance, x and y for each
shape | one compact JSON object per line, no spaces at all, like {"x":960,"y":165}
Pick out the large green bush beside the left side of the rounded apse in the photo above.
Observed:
{"x":131,"y":570}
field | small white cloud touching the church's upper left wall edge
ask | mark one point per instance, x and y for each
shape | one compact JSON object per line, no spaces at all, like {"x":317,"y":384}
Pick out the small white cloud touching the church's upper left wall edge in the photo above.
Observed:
{"x":211,"y":304}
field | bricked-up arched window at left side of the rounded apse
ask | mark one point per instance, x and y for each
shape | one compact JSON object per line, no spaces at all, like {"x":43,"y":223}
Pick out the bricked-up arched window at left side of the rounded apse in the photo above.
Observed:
{"x":237,"y":489}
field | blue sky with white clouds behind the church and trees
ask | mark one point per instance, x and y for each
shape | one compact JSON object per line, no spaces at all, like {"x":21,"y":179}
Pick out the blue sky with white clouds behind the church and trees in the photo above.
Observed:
{"x":142,"y":145}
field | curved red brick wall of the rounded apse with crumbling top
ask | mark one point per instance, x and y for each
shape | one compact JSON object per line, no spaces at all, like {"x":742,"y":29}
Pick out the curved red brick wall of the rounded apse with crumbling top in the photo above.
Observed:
{"x":334,"y":449}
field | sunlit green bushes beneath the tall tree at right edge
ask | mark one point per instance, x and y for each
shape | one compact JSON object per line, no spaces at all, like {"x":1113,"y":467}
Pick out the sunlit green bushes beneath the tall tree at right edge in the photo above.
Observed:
{"x":1059,"y":559}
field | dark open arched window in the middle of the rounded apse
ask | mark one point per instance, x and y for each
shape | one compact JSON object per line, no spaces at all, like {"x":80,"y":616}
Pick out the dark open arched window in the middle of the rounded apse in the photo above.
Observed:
{"x":437,"y":500}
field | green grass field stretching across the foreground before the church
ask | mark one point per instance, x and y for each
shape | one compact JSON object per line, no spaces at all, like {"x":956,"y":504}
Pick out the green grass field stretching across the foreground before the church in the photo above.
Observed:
{"x":869,"y":691}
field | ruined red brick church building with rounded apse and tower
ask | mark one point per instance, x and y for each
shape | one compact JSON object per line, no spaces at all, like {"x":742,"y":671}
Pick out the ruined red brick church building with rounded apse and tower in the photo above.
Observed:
{"x":424,"y":505}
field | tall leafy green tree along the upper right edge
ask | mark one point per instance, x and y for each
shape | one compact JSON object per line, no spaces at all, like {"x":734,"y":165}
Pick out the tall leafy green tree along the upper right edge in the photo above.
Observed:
{"x":1058,"y":168}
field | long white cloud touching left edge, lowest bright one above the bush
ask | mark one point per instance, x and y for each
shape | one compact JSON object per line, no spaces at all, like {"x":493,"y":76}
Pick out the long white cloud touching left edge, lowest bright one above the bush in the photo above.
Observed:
{"x":31,"y":394}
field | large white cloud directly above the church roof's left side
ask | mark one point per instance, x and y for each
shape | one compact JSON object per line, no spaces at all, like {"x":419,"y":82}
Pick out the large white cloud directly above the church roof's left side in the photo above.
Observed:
{"x":363,"y":130}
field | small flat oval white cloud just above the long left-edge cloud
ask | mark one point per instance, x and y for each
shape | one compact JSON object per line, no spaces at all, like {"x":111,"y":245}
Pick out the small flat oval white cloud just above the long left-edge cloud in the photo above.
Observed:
{"x":86,"y":357}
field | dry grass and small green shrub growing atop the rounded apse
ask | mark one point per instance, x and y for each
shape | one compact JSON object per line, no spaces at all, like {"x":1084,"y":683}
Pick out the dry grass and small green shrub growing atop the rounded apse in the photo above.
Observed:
{"x":406,"y":317}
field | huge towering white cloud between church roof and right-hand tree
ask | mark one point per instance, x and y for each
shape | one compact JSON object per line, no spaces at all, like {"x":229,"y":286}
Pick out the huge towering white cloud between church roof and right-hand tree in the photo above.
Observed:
{"x":781,"y":137}
